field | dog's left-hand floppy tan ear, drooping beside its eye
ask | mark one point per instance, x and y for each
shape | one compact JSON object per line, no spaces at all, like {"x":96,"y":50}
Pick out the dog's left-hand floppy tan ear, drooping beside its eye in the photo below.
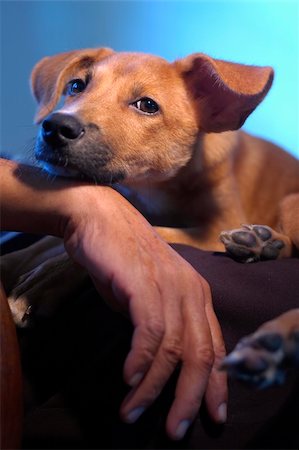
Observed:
{"x":49,"y":76}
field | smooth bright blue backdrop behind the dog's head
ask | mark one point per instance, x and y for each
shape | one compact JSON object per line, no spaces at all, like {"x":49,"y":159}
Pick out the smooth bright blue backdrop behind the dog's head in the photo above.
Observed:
{"x":252,"y":32}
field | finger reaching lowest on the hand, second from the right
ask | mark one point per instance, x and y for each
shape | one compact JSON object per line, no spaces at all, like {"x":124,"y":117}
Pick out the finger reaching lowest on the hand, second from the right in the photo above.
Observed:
{"x":198,"y":358}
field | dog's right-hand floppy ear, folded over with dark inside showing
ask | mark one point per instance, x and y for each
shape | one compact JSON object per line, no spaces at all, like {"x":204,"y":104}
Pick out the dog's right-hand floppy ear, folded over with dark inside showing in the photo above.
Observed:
{"x":224,"y":93}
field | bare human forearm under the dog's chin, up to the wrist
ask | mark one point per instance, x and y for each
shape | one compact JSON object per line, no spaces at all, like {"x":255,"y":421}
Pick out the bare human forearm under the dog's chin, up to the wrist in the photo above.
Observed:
{"x":31,"y":202}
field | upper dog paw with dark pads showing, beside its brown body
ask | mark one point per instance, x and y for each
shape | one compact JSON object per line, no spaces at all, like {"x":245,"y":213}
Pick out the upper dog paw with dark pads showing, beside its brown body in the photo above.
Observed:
{"x":255,"y":243}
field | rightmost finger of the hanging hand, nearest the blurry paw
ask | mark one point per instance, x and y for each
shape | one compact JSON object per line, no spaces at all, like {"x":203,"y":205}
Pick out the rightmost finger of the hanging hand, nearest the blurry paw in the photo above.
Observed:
{"x":216,"y":396}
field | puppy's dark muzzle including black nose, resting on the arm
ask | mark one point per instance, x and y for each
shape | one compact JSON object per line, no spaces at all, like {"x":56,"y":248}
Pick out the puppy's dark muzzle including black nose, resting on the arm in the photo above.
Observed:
{"x":65,"y":147}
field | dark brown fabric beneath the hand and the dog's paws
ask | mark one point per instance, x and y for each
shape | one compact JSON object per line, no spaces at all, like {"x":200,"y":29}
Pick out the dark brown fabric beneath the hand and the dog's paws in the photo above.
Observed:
{"x":73,"y":369}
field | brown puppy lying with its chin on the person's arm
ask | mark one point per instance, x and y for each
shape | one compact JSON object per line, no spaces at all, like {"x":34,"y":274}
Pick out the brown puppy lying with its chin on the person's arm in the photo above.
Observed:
{"x":166,"y":136}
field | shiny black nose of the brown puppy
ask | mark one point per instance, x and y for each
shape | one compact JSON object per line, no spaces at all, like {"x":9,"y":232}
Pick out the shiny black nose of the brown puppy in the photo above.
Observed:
{"x":59,"y":128}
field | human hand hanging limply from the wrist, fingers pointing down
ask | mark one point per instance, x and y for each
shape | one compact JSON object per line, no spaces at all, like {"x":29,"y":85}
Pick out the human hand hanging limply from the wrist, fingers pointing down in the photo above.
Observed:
{"x":169,"y":304}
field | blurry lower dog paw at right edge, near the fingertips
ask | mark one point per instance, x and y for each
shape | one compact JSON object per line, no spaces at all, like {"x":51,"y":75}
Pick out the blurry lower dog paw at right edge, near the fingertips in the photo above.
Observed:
{"x":262,"y":358}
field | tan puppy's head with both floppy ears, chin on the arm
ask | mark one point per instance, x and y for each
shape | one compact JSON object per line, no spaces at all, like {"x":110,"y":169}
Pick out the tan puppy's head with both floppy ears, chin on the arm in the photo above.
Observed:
{"x":132,"y":117}
